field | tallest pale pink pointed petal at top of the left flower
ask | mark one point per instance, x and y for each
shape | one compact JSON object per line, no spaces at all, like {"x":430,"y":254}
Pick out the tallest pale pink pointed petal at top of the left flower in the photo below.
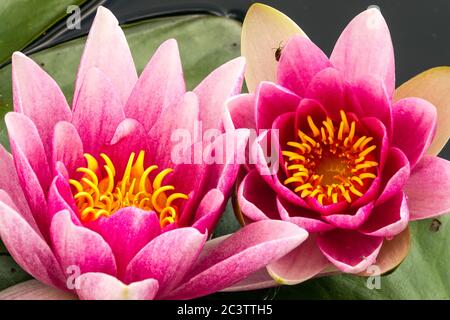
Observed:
{"x":107,"y":49}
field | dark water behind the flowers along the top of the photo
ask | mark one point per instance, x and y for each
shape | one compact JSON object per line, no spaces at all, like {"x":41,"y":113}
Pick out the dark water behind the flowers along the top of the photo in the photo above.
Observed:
{"x":420,"y":29}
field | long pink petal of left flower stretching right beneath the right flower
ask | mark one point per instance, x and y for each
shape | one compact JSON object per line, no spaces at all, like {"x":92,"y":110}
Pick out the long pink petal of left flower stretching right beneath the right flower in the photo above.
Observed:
{"x":243,"y":253}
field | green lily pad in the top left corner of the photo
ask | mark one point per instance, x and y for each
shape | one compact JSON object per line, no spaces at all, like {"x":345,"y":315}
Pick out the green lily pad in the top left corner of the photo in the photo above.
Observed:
{"x":25,"y":20}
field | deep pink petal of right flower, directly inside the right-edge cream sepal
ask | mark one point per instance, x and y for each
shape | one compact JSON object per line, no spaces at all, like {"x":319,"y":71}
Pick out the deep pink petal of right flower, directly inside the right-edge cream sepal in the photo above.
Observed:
{"x":414,"y":127}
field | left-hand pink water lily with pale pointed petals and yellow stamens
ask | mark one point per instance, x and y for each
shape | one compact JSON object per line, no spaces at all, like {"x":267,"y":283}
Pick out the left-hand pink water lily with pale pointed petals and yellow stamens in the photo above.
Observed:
{"x":90,"y":199}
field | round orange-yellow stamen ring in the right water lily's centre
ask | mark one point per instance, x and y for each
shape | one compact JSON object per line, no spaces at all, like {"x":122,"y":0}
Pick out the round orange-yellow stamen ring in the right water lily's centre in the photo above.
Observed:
{"x":330,"y":162}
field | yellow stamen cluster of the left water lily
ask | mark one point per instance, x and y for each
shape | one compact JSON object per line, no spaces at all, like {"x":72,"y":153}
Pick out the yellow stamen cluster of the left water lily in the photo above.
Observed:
{"x":99,"y":193}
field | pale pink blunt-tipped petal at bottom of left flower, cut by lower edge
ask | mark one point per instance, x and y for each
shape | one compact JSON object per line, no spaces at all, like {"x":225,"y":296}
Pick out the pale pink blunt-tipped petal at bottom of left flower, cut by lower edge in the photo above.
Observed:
{"x":100,"y":286}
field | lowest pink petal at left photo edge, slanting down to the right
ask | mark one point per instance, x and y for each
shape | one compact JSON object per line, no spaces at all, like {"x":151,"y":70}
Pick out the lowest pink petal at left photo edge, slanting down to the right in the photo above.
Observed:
{"x":28,"y":248}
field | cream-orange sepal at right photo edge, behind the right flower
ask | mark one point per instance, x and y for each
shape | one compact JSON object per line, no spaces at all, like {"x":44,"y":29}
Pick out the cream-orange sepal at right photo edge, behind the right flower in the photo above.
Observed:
{"x":432,"y":85}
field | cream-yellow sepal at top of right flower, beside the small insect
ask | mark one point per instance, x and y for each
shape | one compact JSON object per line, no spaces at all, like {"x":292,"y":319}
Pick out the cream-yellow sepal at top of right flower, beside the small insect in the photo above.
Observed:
{"x":263,"y":31}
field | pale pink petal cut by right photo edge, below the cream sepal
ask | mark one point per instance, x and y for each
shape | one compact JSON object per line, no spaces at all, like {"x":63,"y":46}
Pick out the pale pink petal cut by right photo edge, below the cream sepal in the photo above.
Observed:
{"x":428,"y":188}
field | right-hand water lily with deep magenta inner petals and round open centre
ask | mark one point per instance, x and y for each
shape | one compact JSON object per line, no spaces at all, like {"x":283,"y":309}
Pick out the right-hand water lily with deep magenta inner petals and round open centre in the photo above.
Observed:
{"x":353,"y":169}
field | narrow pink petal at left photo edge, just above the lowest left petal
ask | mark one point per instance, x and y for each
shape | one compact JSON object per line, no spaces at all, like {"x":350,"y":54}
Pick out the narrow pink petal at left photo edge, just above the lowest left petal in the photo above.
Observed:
{"x":9,"y":182}
